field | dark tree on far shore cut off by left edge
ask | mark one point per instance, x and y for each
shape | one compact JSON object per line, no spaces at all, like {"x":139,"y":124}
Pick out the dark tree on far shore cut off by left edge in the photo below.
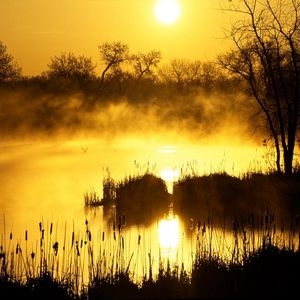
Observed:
{"x":9,"y":70}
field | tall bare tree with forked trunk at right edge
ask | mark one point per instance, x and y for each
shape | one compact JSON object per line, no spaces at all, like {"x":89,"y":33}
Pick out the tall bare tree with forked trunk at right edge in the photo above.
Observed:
{"x":266,"y":56}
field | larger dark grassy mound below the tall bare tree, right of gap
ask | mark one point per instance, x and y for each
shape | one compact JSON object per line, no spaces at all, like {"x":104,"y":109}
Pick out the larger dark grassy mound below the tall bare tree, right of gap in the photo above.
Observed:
{"x":225,"y":197}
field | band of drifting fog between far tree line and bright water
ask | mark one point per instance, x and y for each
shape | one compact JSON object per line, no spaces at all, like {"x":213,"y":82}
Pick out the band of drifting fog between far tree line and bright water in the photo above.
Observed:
{"x":200,"y":118}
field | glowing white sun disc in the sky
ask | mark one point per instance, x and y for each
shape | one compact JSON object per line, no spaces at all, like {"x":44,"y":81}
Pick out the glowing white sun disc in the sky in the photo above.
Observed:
{"x":167,"y":11}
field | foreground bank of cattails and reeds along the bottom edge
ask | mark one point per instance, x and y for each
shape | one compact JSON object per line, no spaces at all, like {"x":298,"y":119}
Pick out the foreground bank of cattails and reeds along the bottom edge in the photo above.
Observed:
{"x":262,"y":260}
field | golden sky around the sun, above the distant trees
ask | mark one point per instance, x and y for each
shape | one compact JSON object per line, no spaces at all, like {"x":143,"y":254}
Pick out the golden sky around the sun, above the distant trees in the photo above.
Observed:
{"x":35,"y":30}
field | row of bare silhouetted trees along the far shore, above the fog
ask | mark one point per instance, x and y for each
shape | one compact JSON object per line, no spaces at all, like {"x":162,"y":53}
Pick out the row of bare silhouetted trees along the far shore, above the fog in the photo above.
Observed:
{"x":118,"y":67}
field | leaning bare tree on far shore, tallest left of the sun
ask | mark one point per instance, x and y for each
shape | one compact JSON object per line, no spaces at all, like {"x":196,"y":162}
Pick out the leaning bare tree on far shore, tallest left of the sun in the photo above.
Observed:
{"x":113,"y":55}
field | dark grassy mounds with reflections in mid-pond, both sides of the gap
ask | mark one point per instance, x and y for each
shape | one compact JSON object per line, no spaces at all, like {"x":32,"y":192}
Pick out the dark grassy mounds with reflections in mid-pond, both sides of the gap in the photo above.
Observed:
{"x":145,"y":198}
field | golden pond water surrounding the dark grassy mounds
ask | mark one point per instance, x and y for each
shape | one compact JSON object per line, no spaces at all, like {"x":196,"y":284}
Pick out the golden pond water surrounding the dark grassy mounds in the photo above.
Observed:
{"x":44,"y":182}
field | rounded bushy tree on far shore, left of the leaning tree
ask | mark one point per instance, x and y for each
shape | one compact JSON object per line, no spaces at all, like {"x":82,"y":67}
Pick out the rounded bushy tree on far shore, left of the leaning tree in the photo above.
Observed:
{"x":72,"y":67}
